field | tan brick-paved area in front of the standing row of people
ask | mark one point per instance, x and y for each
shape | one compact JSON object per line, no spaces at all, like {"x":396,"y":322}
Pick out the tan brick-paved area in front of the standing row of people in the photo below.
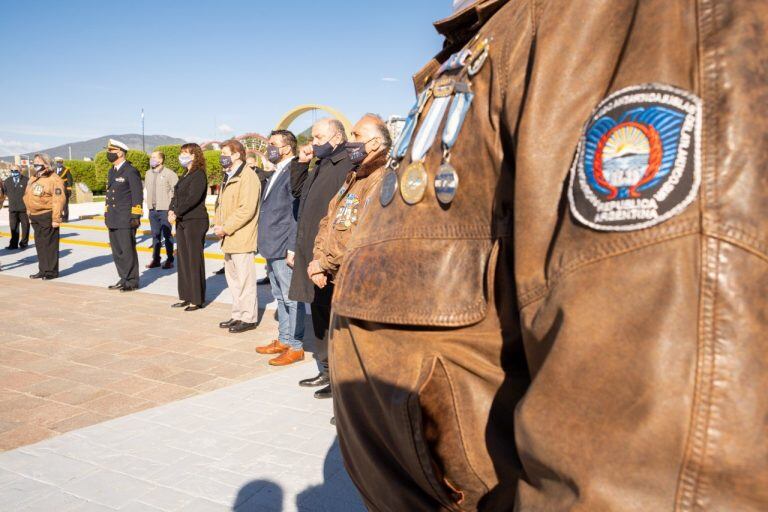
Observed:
{"x":86,"y":363}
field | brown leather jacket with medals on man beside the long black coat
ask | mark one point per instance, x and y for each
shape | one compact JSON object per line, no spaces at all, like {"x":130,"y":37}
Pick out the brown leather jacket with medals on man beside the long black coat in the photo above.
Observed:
{"x":344,"y":214}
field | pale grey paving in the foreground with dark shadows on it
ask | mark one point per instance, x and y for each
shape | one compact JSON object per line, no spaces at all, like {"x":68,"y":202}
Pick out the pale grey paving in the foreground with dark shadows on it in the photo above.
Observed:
{"x":237,"y":448}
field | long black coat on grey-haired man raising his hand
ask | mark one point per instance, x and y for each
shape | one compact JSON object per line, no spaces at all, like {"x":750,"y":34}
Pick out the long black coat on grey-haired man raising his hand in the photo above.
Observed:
{"x":316,"y":189}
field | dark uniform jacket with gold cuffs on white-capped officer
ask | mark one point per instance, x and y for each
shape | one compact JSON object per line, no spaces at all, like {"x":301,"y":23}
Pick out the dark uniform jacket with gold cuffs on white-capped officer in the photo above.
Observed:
{"x":125,"y":196}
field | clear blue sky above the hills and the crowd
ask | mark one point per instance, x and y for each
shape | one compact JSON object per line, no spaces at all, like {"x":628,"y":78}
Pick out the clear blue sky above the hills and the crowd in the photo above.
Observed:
{"x":81,"y":69}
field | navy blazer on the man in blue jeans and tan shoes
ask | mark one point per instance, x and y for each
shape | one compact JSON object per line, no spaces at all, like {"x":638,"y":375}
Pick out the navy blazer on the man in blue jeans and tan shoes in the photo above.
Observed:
{"x":277,"y":217}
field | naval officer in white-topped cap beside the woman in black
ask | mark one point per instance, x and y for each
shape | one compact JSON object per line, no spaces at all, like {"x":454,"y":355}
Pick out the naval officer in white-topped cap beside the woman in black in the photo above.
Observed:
{"x":123,"y":211}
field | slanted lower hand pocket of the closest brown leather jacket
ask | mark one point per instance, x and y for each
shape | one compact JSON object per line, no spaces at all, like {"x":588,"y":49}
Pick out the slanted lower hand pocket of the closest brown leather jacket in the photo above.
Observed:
{"x":438,"y":441}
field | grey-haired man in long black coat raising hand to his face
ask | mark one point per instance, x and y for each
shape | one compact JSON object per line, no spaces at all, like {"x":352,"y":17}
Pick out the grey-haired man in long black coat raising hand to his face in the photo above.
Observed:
{"x":316,"y":189}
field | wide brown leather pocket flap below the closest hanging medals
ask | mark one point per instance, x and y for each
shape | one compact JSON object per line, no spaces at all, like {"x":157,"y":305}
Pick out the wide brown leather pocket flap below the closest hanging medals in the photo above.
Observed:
{"x":436,"y":282}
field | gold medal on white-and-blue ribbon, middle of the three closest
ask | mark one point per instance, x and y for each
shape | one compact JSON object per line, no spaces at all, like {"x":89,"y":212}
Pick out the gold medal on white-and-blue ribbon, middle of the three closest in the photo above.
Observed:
{"x":413,"y":182}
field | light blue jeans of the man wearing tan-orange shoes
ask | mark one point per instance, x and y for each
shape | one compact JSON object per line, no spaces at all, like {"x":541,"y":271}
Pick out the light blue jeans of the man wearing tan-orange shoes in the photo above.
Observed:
{"x":290,"y":314}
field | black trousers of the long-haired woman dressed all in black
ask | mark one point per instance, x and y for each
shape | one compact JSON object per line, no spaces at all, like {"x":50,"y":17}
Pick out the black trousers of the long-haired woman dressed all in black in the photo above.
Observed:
{"x":190,"y":243}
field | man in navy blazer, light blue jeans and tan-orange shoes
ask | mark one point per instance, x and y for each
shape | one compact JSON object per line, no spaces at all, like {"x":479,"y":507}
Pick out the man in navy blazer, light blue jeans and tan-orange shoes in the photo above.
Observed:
{"x":276,"y":240}
